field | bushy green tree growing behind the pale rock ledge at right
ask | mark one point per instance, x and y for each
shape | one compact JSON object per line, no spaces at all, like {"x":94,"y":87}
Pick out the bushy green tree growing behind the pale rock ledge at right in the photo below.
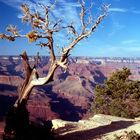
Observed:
{"x":119,"y":96}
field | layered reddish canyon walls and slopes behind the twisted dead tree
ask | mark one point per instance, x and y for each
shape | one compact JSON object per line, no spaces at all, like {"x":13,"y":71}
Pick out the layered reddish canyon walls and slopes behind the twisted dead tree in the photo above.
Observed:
{"x":71,"y":93}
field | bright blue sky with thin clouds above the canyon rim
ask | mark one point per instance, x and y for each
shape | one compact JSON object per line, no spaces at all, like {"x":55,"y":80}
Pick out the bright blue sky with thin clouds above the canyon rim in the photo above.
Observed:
{"x":117,"y":36}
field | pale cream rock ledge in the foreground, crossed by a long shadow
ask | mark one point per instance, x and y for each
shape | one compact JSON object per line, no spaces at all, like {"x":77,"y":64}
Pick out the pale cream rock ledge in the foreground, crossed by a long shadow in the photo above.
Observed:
{"x":99,"y":127}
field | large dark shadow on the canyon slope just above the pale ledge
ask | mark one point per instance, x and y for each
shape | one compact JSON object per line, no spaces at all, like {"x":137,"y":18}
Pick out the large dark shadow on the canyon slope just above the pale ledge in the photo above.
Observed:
{"x":61,"y":105}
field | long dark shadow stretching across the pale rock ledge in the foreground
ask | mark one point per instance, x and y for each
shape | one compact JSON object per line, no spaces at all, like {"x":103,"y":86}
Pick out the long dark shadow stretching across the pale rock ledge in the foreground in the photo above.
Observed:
{"x":96,"y":132}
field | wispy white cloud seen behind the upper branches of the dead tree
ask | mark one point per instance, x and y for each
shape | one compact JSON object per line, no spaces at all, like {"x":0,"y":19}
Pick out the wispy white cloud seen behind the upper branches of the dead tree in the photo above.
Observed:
{"x":68,"y":11}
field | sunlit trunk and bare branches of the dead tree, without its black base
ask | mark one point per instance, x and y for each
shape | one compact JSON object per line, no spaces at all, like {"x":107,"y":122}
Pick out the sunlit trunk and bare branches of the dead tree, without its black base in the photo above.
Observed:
{"x":43,"y":28}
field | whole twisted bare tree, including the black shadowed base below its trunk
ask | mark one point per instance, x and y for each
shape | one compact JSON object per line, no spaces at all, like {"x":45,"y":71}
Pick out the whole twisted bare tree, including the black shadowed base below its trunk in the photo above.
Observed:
{"x":43,"y":28}
